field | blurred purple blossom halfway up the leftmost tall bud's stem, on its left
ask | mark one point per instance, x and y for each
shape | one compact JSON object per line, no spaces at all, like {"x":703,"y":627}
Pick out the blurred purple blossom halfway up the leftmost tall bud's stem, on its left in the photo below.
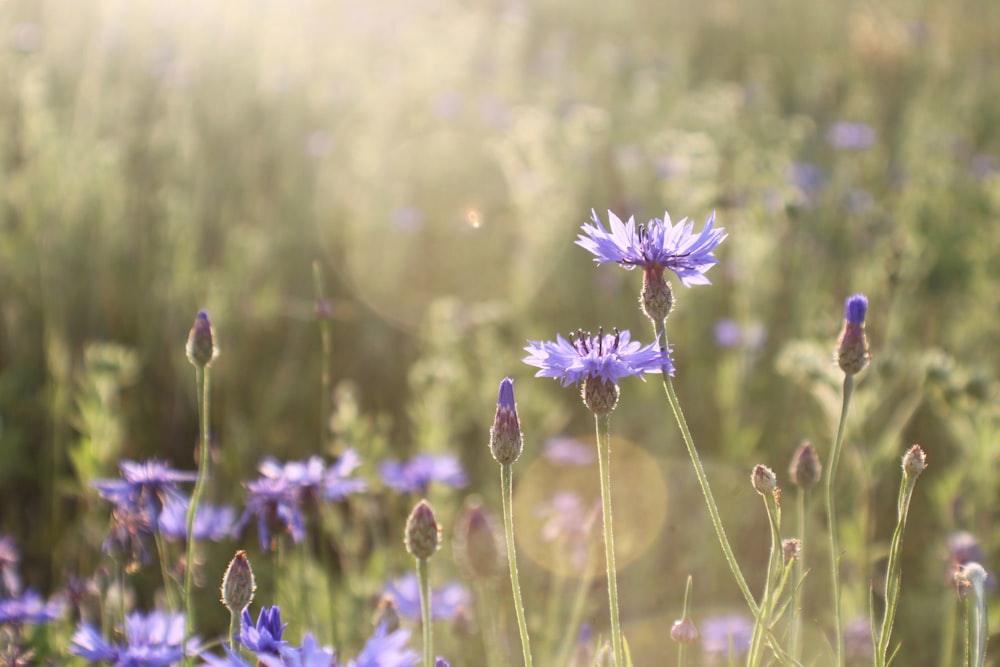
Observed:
{"x":147,"y":484}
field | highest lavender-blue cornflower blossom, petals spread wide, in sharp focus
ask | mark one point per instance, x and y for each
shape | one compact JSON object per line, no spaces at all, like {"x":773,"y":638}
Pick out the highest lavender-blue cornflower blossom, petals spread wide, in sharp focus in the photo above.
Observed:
{"x":657,"y":244}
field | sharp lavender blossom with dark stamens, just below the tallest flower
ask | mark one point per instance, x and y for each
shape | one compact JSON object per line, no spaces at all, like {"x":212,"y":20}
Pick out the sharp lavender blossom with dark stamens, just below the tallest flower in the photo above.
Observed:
{"x":608,"y":357}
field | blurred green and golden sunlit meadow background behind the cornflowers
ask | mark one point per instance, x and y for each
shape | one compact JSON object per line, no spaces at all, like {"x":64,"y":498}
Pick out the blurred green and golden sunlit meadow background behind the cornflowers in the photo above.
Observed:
{"x":425,"y":167}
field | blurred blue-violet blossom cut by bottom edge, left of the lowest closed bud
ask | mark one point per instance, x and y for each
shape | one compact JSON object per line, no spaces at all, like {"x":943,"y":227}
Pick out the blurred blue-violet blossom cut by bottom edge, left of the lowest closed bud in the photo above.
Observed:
{"x":156,"y":640}
